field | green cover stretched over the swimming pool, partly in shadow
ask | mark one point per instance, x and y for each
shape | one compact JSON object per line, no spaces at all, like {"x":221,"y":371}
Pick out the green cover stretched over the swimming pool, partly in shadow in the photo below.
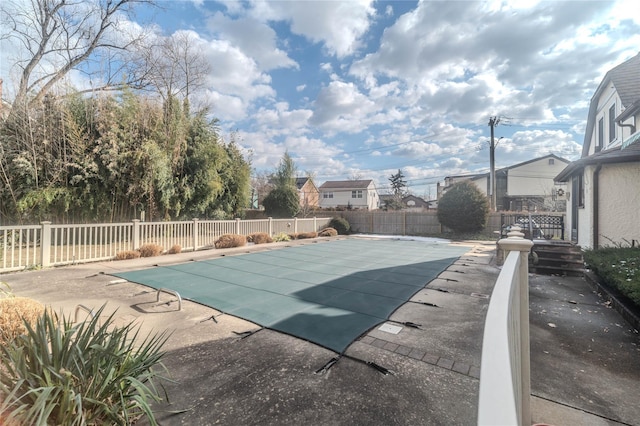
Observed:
{"x":328,"y":293}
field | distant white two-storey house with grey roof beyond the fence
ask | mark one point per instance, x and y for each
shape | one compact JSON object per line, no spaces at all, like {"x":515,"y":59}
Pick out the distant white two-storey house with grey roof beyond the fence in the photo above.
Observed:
{"x":356,"y":194}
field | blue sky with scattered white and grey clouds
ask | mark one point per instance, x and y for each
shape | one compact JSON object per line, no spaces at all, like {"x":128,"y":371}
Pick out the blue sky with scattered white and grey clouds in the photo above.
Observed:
{"x":362,"y":88}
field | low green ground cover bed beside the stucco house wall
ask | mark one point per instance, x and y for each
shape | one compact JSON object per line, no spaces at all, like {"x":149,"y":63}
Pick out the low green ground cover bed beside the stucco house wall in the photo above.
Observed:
{"x":617,"y":267}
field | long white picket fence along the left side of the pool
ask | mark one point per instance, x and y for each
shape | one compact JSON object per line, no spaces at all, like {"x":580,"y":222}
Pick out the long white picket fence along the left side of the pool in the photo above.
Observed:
{"x":47,"y":244}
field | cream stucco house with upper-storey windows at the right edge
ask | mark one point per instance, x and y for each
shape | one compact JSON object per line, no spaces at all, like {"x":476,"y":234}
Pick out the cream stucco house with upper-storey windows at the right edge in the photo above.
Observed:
{"x":604,"y":184}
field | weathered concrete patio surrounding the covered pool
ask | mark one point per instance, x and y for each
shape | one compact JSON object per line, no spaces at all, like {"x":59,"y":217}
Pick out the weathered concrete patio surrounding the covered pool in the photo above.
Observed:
{"x":585,"y":357}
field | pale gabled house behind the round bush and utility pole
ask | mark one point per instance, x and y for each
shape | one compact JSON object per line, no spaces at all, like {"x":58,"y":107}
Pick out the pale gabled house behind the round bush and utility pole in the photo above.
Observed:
{"x":524,"y":186}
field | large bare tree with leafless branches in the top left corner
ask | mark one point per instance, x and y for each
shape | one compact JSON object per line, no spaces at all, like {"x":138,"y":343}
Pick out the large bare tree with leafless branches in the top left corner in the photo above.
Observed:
{"x":55,"y":37}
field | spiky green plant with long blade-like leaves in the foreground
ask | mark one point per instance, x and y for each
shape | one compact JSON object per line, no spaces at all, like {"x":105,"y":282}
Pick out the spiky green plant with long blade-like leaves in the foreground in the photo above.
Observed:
{"x":92,"y":372}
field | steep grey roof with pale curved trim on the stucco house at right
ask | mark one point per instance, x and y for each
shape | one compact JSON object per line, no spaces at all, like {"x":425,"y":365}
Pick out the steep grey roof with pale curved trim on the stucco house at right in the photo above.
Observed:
{"x":626,"y":80}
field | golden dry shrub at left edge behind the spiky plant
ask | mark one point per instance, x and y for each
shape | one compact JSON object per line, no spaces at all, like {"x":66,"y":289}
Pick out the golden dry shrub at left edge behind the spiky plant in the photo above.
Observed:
{"x":14,"y":313}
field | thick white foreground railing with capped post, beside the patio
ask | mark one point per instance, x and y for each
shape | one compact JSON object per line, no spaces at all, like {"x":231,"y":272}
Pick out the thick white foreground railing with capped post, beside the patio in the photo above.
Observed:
{"x":505,"y":384}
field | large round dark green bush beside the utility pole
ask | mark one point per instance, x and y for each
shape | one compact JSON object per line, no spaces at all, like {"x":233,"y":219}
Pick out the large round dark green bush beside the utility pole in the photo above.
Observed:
{"x":463,"y":208}
